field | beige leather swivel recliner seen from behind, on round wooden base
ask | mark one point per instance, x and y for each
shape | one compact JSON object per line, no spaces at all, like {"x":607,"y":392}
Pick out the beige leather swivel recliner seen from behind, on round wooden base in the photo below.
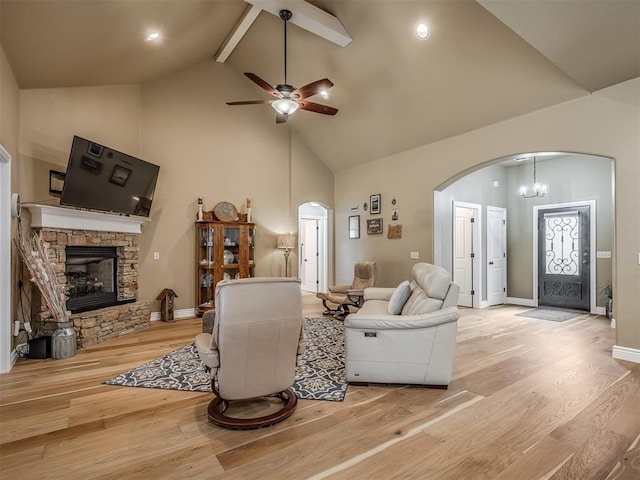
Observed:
{"x":253,"y":348}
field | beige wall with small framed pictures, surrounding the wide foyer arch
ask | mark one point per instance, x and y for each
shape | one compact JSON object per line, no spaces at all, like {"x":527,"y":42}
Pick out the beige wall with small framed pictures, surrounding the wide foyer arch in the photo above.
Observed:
{"x":606,"y":123}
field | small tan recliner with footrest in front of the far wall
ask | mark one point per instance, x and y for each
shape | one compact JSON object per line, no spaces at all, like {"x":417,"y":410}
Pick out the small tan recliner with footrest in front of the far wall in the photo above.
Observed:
{"x":345,"y":296}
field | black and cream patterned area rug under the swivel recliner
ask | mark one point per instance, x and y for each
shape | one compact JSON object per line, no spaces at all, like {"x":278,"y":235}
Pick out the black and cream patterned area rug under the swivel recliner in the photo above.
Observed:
{"x":319,"y":375}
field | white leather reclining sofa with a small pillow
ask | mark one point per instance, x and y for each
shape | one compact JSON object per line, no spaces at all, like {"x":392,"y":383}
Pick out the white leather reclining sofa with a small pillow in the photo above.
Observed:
{"x":415,"y":346}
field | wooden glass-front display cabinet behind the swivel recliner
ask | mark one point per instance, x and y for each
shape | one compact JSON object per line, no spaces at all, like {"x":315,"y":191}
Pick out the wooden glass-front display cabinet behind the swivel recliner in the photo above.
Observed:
{"x":224,"y":251}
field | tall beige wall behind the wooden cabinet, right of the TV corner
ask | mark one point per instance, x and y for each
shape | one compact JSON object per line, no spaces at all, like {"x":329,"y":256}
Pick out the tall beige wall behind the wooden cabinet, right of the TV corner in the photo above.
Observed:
{"x":220,"y":153}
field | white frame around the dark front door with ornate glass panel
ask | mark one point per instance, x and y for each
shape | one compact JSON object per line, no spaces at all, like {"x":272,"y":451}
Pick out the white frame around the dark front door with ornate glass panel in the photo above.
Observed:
{"x":592,"y":247}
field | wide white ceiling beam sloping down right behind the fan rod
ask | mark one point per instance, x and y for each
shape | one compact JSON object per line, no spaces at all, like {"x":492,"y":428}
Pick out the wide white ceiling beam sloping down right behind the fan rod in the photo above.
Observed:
{"x":309,"y":17}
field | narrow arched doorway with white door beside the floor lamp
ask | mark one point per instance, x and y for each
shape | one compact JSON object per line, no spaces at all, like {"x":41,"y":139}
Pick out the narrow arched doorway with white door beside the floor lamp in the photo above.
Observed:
{"x":313,"y":246}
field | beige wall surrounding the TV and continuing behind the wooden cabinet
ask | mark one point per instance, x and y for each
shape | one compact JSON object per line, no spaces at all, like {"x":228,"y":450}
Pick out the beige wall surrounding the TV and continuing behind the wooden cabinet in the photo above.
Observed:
{"x":204,"y":149}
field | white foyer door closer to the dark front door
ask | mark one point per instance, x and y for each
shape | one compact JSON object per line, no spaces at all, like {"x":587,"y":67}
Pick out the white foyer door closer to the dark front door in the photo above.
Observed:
{"x":496,"y":255}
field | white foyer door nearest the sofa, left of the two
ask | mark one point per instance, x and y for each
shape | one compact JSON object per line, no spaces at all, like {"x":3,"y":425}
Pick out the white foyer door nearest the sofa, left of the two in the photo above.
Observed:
{"x":463,"y":254}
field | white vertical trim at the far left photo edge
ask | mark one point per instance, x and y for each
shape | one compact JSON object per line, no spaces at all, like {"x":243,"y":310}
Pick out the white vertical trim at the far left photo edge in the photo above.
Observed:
{"x":6,"y":357}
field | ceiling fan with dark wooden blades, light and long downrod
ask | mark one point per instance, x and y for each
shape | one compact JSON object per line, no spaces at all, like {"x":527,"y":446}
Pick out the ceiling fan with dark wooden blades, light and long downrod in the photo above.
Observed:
{"x":287,"y":97}
